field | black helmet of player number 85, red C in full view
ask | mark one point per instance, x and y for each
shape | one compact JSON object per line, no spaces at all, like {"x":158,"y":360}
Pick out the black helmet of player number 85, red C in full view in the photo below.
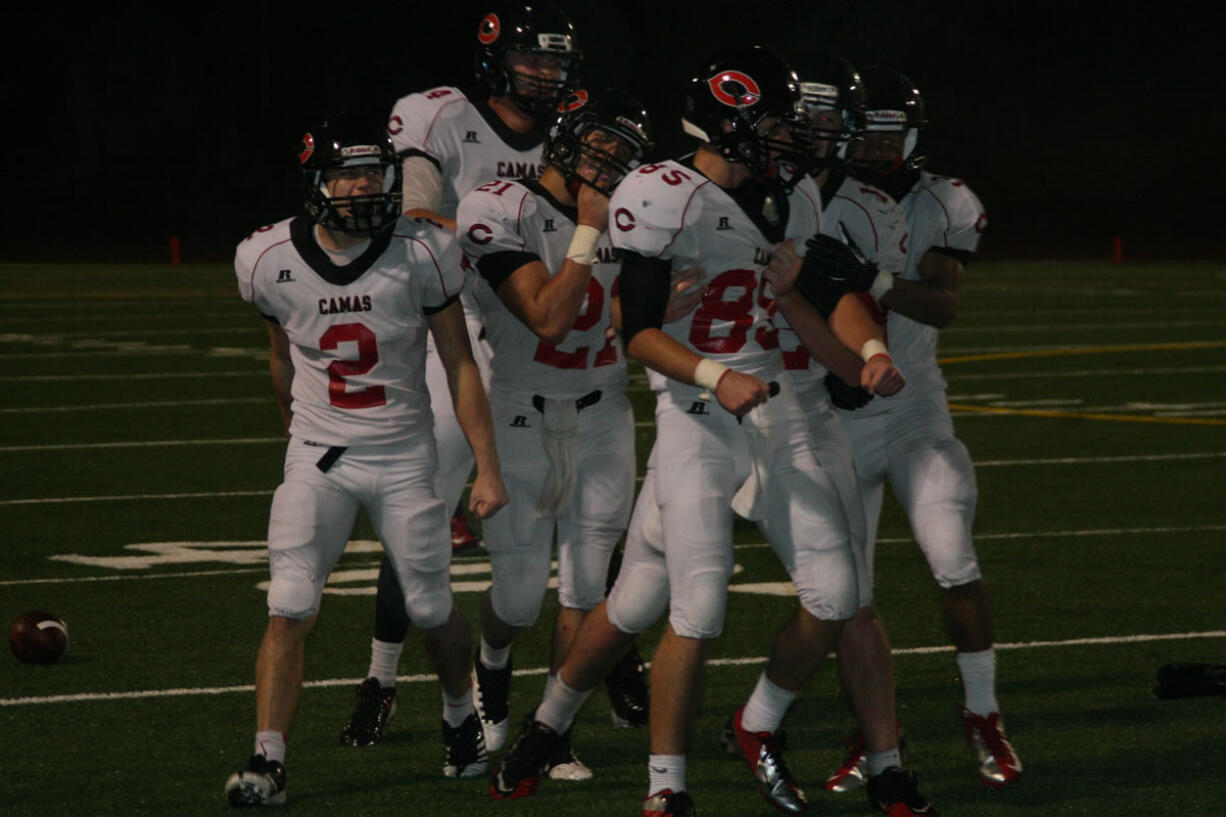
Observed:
{"x":729,"y":99}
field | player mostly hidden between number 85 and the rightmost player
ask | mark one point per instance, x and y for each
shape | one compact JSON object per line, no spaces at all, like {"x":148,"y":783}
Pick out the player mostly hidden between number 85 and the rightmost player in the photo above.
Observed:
{"x":874,"y":224}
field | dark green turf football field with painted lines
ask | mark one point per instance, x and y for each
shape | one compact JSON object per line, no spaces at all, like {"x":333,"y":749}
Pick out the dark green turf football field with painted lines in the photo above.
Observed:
{"x":140,"y":447}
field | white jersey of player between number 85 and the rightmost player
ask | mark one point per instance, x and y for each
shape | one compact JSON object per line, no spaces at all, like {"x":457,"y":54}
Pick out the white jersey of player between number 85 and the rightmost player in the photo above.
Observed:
{"x":877,"y":225}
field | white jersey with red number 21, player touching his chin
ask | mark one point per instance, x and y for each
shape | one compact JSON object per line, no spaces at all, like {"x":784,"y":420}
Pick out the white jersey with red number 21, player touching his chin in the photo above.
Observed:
{"x":504,"y":225}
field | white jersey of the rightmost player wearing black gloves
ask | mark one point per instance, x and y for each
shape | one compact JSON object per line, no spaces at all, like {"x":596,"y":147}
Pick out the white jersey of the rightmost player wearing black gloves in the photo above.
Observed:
{"x":942,"y":213}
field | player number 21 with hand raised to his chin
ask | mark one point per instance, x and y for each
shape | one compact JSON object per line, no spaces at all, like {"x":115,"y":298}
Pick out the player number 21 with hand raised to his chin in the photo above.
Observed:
{"x":565,"y":426}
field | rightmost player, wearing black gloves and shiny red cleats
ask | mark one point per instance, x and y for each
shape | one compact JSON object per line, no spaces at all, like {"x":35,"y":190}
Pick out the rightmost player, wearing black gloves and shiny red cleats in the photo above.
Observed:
{"x":912,"y":441}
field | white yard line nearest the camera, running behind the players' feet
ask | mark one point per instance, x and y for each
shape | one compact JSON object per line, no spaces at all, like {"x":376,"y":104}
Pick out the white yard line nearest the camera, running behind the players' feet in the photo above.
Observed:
{"x":143,"y":695}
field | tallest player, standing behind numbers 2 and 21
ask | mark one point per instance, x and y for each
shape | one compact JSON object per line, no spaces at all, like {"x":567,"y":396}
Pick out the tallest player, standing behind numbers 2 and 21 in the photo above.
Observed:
{"x":452,"y":140}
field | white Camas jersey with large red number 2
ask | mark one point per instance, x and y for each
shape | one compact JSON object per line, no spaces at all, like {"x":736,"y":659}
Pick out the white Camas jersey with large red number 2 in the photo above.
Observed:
{"x":357,"y":332}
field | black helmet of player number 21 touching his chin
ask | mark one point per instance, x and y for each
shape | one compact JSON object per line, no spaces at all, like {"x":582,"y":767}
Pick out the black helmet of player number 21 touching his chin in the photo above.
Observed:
{"x":576,"y":147}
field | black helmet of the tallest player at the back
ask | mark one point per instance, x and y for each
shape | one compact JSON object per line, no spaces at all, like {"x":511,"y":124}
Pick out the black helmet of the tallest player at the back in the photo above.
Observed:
{"x":536,"y":29}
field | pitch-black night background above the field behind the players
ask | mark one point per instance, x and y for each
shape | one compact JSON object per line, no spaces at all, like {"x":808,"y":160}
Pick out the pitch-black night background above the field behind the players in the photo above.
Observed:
{"x":1072,"y":121}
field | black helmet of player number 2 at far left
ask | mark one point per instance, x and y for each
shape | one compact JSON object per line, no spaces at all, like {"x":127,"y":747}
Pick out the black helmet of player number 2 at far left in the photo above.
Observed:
{"x":340,"y":143}
